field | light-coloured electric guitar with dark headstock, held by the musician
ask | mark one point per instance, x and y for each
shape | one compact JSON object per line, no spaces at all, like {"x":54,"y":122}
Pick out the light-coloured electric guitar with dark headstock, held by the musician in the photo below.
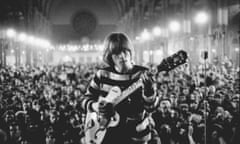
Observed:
{"x":96,"y":125}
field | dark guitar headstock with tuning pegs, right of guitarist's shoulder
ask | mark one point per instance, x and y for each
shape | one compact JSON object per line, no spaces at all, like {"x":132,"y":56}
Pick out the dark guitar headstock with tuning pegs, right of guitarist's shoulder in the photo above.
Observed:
{"x":173,"y":61}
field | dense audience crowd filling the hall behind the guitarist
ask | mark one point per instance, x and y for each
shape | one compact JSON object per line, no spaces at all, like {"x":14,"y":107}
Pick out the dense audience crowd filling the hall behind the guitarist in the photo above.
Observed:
{"x":197,"y":104}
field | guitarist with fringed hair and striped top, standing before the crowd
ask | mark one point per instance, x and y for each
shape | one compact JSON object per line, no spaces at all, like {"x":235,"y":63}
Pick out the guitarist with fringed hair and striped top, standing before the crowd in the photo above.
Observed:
{"x":133,"y":126}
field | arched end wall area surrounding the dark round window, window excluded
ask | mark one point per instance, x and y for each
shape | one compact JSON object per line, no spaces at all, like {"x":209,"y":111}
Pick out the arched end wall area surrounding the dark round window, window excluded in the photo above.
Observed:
{"x":60,"y":14}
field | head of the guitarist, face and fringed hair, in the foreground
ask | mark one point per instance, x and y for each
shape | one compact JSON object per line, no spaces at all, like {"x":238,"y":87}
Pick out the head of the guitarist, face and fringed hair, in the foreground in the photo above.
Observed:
{"x":118,"y":51}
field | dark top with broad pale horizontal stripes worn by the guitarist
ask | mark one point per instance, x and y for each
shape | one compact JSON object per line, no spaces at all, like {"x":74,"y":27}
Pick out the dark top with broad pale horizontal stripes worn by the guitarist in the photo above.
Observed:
{"x":131,"y":110}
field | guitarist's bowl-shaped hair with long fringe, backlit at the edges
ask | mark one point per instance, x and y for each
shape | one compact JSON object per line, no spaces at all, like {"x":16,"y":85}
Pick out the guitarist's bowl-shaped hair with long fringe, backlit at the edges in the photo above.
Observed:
{"x":116,"y":43}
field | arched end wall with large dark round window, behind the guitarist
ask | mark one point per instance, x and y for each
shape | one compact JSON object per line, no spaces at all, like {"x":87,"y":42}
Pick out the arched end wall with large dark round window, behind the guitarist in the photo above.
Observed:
{"x":85,"y":18}
